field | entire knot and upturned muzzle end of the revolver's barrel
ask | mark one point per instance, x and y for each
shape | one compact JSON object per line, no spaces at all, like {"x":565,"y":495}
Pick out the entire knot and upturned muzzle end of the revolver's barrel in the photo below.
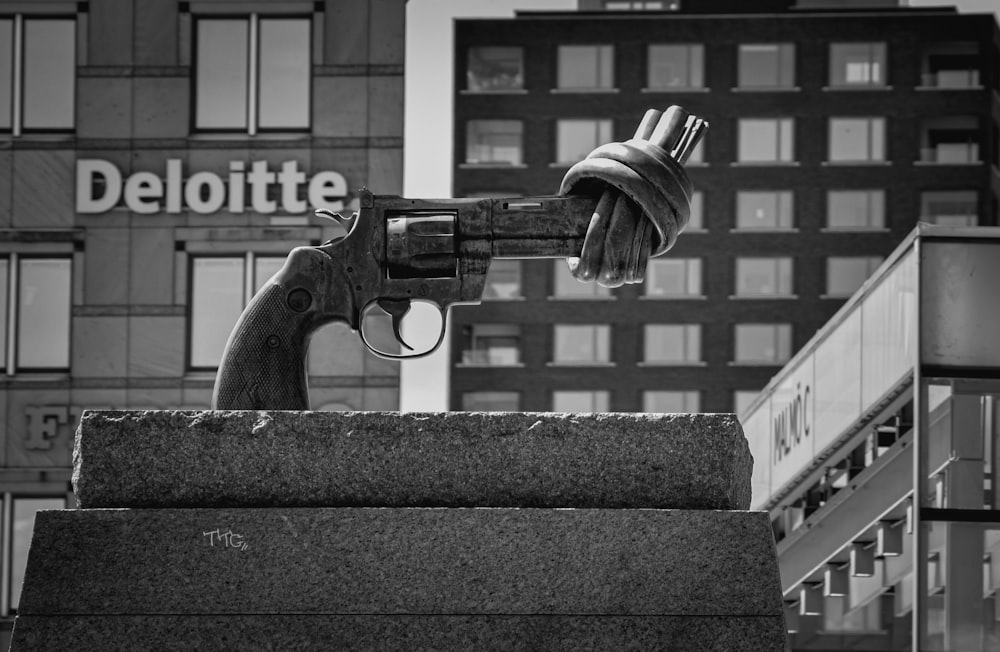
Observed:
{"x":645,"y":197}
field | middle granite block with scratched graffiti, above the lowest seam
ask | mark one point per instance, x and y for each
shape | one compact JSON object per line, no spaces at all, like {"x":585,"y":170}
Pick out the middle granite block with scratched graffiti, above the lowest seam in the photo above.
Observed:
{"x":402,"y":561}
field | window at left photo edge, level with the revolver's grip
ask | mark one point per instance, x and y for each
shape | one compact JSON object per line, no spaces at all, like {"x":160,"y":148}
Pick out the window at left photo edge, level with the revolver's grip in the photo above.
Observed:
{"x":35,"y":294}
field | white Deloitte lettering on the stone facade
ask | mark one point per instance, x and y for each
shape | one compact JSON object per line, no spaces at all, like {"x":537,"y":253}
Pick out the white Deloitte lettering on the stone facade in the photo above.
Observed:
{"x":206,"y":192}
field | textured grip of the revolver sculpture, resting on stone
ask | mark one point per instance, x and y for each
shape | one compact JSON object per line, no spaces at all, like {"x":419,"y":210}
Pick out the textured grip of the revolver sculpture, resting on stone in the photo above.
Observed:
{"x":263,"y":366}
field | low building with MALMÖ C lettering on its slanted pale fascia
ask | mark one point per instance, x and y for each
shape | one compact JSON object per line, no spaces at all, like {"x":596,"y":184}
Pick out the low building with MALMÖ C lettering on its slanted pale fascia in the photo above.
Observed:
{"x":875,"y":453}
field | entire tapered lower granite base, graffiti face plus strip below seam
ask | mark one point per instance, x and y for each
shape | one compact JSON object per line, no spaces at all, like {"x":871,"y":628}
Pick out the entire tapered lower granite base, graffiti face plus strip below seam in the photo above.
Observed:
{"x":401,"y":578}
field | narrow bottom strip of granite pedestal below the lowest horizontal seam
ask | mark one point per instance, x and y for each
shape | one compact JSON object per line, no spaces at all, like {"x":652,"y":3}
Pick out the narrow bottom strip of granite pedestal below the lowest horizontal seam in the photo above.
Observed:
{"x":501,"y":633}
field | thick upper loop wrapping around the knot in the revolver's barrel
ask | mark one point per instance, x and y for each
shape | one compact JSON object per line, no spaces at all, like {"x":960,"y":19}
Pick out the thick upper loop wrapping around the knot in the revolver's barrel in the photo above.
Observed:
{"x":648,"y":175}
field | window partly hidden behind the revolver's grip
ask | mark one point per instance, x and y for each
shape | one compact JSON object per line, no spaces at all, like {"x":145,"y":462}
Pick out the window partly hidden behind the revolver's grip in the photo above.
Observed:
{"x":220,"y":288}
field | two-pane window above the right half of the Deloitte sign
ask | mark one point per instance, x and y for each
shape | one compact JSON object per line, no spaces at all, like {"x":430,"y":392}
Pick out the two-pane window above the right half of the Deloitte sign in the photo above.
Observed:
{"x":252,"y":74}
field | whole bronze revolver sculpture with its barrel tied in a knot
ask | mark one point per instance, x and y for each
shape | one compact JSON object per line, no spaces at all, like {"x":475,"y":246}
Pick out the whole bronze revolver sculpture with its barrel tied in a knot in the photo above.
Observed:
{"x":622,"y":204}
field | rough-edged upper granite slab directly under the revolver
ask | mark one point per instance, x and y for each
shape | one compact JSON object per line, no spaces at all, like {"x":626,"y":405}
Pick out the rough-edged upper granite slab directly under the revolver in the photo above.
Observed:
{"x":382,"y":459}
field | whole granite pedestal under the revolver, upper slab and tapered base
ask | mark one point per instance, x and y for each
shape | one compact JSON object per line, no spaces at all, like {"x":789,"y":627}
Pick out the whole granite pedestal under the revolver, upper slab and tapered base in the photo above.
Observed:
{"x":320,"y":531}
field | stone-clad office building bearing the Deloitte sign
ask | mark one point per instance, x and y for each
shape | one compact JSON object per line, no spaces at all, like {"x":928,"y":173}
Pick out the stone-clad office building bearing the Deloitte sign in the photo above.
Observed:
{"x":158,"y":160}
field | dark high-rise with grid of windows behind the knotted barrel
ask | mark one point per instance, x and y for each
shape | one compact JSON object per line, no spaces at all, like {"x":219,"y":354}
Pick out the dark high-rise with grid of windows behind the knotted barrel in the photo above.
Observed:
{"x":835,"y":128}
